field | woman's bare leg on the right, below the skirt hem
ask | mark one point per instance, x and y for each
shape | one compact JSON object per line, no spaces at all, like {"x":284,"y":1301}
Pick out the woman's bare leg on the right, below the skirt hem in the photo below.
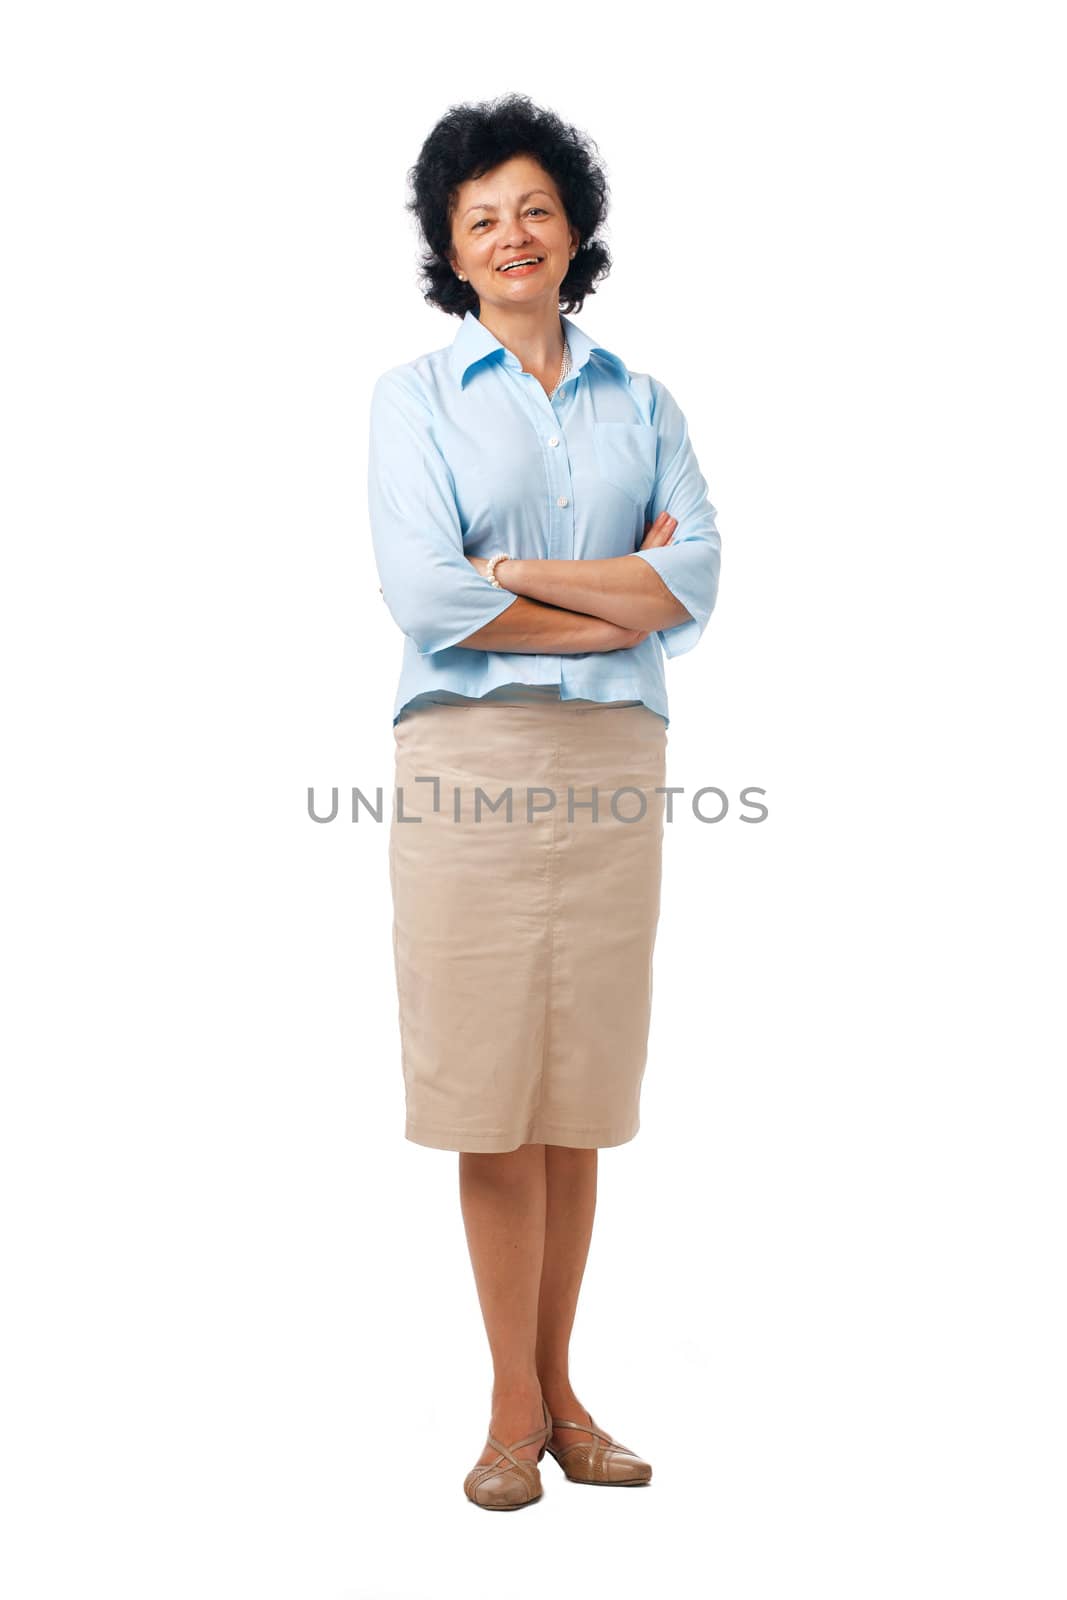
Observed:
{"x":570,"y":1210}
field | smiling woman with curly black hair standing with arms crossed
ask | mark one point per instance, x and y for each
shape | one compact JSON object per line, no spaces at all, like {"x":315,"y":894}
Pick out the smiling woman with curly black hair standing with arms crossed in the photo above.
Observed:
{"x":543,"y":535}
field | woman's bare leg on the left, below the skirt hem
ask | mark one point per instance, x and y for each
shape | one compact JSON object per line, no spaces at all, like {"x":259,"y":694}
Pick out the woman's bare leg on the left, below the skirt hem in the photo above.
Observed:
{"x":503,"y":1199}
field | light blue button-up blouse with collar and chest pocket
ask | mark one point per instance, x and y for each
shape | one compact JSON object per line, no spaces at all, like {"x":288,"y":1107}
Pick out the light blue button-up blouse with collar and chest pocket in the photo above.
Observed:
{"x":470,"y":455}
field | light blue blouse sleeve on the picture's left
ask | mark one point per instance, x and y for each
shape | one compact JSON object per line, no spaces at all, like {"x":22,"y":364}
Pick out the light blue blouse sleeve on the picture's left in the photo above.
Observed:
{"x":433,"y":591}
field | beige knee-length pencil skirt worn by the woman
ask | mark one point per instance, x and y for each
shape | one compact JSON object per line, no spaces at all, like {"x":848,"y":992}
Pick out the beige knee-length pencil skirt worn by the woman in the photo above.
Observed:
{"x":526,"y":866}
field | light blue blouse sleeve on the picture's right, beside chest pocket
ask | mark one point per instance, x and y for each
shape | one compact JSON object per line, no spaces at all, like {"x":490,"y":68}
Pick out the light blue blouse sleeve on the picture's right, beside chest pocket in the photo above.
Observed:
{"x":690,"y":564}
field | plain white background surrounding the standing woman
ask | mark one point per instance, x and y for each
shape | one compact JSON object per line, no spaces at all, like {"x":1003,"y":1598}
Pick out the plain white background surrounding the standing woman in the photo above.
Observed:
{"x":242,"y":1348}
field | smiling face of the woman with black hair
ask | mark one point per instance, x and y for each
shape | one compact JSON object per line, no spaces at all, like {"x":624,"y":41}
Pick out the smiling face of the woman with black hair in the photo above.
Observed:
{"x":503,"y":217}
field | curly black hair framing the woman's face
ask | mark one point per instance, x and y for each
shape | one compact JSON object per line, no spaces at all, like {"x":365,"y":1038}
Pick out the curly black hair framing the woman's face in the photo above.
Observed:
{"x":470,"y":142}
